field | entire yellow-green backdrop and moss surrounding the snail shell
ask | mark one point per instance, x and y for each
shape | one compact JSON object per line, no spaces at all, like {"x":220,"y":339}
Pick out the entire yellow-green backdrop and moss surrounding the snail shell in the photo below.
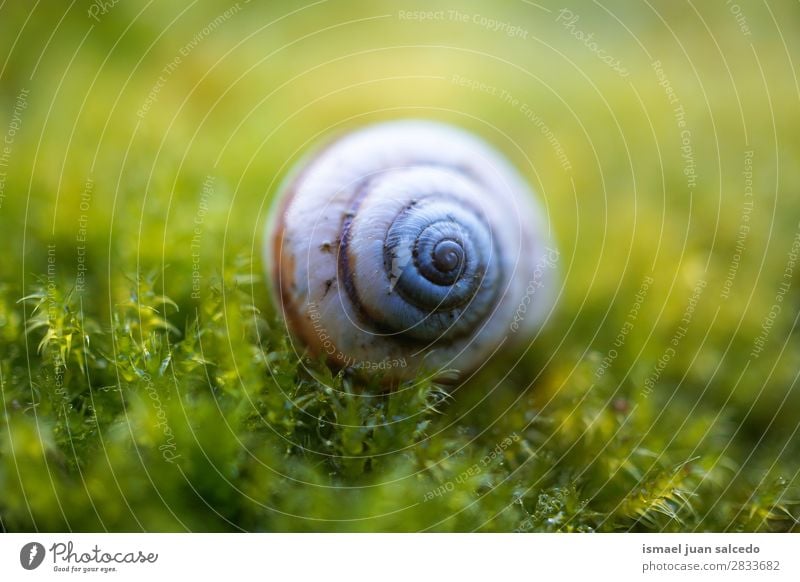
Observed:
{"x":147,"y":384}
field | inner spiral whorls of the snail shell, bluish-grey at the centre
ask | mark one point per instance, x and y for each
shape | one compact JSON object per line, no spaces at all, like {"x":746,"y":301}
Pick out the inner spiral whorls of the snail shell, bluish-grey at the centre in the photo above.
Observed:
{"x":425,"y":273}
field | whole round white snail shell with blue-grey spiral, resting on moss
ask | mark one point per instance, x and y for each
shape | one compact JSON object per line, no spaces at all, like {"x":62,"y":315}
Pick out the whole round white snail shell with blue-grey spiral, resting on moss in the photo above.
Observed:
{"x":409,"y":247}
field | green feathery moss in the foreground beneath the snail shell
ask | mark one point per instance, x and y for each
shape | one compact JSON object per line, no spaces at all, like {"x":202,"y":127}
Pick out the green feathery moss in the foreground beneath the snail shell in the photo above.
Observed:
{"x":221,"y":426}
